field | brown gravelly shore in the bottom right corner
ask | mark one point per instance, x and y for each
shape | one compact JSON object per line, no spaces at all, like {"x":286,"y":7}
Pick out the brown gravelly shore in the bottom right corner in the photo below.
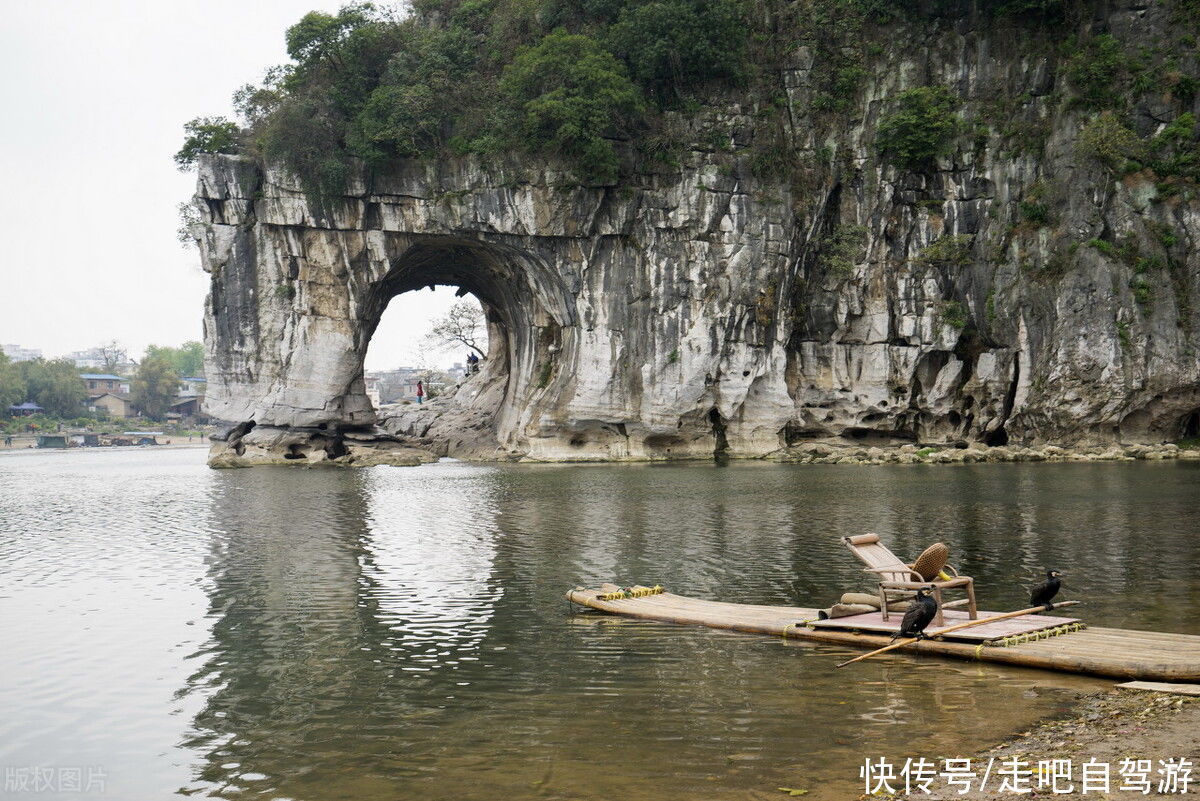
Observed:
{"x":1107,"y":727}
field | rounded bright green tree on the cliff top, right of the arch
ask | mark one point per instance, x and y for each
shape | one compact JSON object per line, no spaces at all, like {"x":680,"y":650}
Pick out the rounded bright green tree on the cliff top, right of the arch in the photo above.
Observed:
{"x":569,"y":94}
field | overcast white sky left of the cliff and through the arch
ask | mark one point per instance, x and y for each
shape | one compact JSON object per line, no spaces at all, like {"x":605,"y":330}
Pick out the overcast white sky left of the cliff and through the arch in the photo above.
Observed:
{"x":95,"y":94}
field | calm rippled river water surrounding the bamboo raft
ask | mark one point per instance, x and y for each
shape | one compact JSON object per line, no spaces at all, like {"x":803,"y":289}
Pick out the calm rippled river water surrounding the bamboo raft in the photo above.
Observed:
{"x":401,"y":633}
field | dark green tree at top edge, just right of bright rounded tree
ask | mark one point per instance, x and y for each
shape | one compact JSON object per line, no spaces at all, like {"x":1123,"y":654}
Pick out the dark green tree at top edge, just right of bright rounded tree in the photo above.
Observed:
{"x":673,"y":46}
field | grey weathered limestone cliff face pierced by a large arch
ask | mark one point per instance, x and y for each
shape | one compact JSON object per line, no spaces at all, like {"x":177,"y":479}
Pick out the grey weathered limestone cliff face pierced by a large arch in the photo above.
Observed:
{"x":715,"y":308}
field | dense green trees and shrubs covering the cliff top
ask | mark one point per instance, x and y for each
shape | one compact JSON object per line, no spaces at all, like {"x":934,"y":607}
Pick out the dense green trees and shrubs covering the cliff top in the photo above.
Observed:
{"x":587,"y":80}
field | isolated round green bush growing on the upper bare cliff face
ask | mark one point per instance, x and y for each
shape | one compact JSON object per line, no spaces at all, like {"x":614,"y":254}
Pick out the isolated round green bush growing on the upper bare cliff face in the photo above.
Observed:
{"x":921,"y":129}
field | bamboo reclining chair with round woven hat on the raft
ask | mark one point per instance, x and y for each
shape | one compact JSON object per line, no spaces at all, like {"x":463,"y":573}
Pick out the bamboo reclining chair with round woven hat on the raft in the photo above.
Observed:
{"x":899,"y":580}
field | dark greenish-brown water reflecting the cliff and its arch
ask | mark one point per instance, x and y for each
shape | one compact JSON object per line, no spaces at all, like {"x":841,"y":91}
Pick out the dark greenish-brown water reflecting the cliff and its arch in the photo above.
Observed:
{"x":403,"y":634}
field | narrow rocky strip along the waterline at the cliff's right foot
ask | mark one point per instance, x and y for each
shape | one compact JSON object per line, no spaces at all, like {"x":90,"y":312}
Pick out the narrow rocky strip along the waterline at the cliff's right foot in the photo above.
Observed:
{"x":837,"y":454}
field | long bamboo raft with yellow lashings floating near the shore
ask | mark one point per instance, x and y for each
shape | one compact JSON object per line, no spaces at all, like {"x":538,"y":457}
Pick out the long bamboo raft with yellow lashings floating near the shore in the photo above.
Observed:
{"x":1111,"y":653}
